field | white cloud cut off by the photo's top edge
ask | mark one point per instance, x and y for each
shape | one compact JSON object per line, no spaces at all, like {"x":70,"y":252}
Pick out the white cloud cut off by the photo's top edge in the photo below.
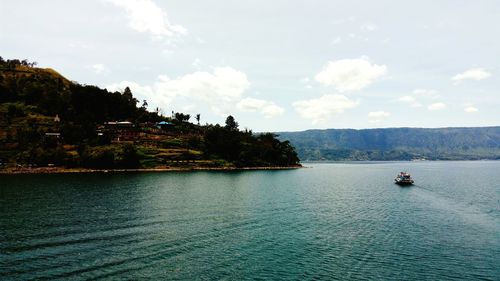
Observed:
{"x":146,"y":16}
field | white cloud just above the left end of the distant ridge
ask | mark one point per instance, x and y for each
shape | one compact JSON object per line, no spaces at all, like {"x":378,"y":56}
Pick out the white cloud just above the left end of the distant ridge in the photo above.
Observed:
{"x":321,"y":109}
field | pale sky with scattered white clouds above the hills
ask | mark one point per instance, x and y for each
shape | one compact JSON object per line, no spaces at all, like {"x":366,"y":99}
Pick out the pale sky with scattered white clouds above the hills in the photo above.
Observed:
{"x":276,"y":65}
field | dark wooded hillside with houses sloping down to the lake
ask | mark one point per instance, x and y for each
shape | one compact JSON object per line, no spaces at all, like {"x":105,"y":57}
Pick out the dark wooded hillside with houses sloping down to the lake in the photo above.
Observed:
{"x":48,"y":120}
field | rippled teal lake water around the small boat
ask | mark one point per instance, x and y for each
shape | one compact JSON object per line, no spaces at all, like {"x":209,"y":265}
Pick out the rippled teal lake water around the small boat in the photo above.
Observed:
{"x":327,"y":222}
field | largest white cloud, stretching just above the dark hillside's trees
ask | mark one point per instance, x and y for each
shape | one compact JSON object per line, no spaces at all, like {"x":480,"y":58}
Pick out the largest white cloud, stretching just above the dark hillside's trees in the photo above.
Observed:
{"x":218,"y":89}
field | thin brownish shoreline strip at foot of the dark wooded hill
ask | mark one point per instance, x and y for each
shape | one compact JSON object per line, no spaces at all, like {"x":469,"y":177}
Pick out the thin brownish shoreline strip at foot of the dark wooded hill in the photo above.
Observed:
{"x":61,"y":170}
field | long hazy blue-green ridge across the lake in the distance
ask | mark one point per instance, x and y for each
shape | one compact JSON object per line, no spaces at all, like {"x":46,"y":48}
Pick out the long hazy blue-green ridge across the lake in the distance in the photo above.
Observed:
{"x":397,"y":144}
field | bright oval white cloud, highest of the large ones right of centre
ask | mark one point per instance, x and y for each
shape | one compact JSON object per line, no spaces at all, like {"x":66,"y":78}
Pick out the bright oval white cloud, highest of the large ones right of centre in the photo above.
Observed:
{"x":350,"y":74}
